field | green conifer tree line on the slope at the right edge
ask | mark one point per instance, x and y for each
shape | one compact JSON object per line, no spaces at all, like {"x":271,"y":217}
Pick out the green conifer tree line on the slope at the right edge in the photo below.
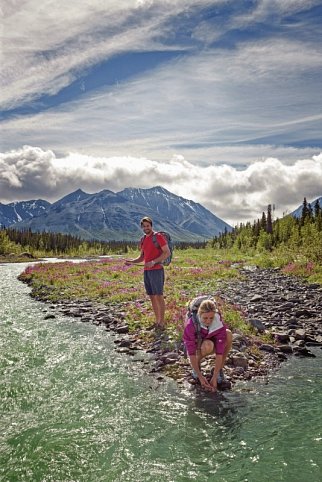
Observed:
{"x":301,"y":234}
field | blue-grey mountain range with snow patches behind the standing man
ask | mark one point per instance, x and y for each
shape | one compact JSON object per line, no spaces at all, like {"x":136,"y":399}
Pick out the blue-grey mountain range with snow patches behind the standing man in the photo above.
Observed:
{"x":115,"y":216}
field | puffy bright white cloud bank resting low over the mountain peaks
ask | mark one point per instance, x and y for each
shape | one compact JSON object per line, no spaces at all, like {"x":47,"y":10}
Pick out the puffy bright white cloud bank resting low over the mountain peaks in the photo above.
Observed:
{"x":232,"y":194}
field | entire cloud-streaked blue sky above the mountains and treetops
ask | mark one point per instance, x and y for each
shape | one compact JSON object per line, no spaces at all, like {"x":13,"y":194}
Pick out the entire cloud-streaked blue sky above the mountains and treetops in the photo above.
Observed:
{"x":217,"y":101}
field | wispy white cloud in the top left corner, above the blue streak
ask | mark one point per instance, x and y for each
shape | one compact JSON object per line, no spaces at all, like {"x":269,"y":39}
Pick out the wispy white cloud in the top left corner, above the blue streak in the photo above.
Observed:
{"x":44,"y":50}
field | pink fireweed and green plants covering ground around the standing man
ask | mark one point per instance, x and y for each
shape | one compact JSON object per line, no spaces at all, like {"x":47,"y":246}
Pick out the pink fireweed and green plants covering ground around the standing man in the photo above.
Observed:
{"x":110,"y":281}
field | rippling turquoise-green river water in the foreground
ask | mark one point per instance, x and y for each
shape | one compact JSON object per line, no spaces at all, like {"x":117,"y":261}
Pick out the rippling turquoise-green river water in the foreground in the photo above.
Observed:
{"x":72,"y":409}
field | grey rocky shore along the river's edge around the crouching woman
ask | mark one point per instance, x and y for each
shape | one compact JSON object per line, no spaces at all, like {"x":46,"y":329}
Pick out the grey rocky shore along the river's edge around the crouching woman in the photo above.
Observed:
{"x":286,"y":309}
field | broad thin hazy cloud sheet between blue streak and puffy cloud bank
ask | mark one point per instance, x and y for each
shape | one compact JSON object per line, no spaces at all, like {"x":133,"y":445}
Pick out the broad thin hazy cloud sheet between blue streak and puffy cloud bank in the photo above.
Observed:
{"x":243,"y":96}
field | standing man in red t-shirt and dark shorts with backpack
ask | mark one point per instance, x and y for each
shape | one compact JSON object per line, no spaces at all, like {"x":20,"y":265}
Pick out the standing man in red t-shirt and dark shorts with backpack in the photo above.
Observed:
{"x":153,"y":269}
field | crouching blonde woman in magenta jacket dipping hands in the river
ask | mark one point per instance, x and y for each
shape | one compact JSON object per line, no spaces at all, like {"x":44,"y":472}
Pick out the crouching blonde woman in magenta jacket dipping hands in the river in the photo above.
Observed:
{"x":206,"y":334}
